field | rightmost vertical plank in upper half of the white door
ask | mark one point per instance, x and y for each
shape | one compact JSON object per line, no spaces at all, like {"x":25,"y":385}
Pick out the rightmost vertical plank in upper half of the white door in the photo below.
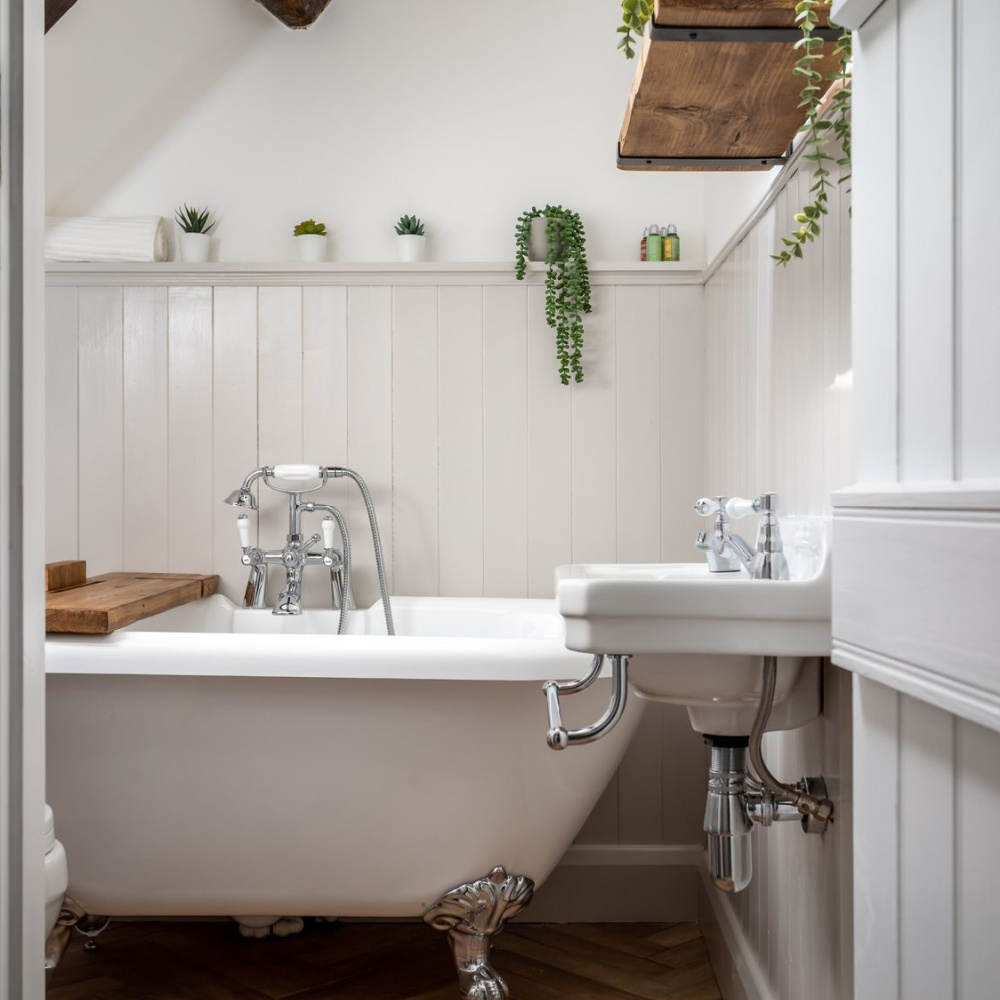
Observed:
{"x":978,"y":307}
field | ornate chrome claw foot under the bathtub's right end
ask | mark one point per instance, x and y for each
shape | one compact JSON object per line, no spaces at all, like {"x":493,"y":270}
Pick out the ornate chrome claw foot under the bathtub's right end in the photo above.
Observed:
{"x":473,"y":914}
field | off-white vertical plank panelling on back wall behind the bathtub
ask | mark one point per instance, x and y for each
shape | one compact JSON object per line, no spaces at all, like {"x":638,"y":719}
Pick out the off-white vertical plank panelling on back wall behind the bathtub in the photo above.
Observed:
{"x":486,"y":472}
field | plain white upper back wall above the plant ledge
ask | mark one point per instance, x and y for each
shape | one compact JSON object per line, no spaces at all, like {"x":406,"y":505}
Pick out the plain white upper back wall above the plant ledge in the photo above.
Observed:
{"x":464,"y":116}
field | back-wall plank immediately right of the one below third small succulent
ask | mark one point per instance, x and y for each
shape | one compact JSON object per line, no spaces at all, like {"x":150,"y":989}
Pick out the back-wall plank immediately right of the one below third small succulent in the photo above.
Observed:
{"x":460,"y":441}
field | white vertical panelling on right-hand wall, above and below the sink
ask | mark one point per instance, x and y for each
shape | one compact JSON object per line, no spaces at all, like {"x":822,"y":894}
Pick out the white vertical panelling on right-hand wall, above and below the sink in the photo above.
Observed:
{"x":778,"y":417}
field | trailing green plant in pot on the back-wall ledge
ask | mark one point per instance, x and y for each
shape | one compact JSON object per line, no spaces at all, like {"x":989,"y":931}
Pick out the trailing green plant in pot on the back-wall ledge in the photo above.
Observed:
{"x":567,"y":281}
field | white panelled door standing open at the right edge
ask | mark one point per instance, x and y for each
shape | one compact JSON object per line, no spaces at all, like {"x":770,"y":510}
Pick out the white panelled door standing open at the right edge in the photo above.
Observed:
{"x":918,"y":536}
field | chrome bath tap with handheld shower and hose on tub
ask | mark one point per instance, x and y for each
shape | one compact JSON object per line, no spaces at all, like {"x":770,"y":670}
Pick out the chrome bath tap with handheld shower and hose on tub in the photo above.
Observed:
{"x":297,"y":552}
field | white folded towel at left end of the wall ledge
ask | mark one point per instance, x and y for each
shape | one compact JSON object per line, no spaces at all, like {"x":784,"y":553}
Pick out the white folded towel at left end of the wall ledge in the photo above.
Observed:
{"x":140,"y":239}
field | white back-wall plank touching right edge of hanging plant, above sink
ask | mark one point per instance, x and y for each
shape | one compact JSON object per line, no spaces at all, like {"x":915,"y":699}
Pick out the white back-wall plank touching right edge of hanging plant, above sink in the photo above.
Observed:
{"x":594,"y":500}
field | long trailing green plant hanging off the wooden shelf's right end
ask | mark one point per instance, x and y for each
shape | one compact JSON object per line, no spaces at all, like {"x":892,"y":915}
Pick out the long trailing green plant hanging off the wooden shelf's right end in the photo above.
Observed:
{"x":833,"y":126}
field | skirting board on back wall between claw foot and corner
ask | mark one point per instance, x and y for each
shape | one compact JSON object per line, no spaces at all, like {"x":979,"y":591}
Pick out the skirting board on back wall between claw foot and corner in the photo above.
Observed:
{"x":617,"y":883}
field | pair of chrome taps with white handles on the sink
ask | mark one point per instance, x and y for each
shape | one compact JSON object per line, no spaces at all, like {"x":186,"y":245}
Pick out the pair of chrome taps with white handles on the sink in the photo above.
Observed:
{"x":727,"y":551}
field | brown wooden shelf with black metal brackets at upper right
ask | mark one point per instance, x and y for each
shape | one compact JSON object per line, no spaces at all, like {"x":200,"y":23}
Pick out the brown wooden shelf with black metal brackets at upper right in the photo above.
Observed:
{"x":715,"y":100}
